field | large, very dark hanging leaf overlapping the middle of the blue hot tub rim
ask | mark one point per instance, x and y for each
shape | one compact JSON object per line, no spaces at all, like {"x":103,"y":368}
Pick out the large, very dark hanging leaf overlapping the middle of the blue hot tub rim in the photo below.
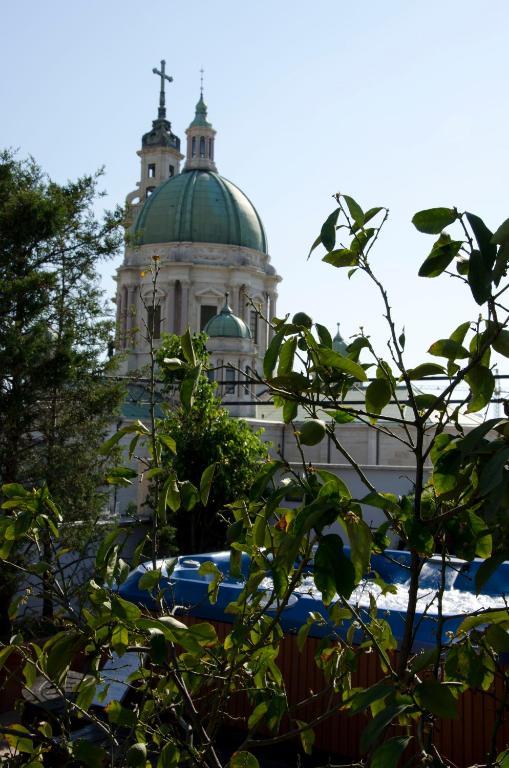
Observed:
{"x":334,"y":573}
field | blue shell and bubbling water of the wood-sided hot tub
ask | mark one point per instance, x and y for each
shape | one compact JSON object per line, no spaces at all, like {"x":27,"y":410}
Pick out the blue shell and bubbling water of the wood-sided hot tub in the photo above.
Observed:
{"x":187,"y":588}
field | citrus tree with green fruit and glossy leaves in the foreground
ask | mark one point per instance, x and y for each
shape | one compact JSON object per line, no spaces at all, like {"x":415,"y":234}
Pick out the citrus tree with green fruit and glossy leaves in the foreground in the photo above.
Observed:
{"x":459,"y":492}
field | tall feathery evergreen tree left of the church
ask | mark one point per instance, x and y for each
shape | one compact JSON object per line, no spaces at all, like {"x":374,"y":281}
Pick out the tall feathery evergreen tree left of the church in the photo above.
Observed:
{"x":55,"y":398}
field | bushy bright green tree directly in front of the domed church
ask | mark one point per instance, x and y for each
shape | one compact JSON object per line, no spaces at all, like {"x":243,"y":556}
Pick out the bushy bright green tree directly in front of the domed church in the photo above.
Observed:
{"x":205,"y":434}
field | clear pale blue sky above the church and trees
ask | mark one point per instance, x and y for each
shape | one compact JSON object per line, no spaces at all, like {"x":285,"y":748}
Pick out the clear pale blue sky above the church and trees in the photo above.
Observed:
{"x":400,"y":103}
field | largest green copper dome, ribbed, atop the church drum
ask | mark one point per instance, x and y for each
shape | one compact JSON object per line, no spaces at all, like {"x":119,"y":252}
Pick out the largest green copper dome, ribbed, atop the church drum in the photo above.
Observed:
{"x":201,"y":207}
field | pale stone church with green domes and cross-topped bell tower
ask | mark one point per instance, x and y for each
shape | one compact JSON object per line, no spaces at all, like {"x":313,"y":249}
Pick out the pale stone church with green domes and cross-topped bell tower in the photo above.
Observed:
{"x":210,"y":247}
